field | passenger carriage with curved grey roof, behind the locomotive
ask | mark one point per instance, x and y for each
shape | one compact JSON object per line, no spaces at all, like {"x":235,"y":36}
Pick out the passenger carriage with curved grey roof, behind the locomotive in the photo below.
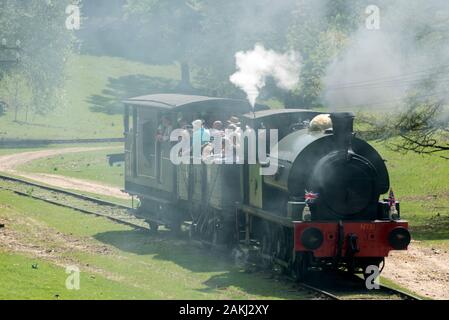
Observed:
{"x":171,"y":194}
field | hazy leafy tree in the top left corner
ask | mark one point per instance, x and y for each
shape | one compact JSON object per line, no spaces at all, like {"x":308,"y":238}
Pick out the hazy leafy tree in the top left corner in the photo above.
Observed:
{"x":45,"y":44}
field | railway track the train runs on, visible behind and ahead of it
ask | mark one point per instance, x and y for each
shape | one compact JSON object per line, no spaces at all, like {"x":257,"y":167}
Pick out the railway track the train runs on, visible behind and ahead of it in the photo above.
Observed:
{"x":334,"y":286}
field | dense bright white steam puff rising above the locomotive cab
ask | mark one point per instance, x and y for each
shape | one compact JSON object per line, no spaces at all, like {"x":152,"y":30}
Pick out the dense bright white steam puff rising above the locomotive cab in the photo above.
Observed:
{"x":256,"y":65}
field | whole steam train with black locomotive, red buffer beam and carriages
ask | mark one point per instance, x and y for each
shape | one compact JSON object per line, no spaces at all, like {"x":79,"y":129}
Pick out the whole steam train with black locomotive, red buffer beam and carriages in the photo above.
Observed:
{"x":320,"y":209}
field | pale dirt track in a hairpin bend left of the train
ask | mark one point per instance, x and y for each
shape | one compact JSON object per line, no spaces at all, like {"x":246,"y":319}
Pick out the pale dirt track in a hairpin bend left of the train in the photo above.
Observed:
{"x":9,"y":163}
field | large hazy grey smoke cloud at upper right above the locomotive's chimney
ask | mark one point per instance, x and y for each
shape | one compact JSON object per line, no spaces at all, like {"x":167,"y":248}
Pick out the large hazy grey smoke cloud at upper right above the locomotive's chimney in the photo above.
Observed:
{"x":379,"y":68}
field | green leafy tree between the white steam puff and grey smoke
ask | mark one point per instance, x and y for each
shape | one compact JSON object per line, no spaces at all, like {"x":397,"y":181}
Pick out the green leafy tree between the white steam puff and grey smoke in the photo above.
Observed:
{"x":319,"y":31}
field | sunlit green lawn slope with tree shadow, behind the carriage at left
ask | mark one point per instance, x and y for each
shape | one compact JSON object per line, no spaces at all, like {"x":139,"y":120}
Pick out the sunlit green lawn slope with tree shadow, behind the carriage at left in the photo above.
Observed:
{"x":94,"y":89}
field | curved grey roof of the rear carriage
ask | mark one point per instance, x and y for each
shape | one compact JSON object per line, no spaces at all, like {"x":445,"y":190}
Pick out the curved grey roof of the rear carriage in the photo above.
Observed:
{"x":181,"y":102}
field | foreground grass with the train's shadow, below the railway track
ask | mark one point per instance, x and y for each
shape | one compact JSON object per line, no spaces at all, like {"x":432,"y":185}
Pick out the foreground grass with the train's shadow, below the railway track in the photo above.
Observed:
{"x":115,"y":260}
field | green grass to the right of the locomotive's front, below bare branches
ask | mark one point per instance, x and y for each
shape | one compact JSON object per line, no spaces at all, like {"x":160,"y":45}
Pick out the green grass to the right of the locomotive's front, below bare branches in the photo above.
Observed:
{"x":421,"y":184}
